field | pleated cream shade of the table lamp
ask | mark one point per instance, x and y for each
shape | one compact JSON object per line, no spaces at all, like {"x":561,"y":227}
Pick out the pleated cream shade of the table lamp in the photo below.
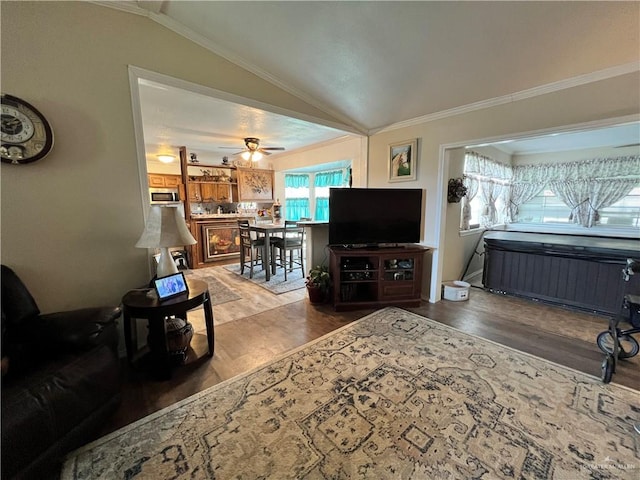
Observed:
{"x":165,"y":228}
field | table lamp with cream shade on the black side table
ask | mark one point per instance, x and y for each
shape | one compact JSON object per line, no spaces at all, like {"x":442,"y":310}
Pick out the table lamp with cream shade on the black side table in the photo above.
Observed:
{"x":165,"y":228}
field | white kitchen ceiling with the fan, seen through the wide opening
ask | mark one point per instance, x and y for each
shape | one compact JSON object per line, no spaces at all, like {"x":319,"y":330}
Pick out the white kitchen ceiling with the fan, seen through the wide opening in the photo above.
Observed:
{"x":213,"y":128}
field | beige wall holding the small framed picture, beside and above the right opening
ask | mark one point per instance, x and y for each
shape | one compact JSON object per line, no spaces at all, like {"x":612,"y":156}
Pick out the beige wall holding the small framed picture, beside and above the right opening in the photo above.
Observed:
{"x":598,"y":101}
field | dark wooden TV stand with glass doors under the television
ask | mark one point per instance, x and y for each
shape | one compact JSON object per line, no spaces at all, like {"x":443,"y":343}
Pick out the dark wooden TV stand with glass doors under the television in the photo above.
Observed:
{"x":376,"y":277}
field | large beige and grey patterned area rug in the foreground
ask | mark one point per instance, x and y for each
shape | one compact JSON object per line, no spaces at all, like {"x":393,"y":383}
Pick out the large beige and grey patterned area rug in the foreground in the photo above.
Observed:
{"x":391,"y":396}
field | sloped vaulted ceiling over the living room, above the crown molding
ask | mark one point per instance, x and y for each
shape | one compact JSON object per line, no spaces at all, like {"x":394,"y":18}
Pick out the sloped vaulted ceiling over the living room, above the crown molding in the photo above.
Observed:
{"x":378,"y":63}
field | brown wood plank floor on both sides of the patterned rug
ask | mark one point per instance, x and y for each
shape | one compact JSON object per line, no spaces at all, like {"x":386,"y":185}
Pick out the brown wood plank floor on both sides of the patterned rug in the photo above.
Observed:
{"x":559,"y":335}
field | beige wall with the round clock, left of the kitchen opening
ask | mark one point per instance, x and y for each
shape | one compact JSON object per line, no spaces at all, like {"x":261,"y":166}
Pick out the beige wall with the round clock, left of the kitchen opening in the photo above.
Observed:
{"x":70,"y":221}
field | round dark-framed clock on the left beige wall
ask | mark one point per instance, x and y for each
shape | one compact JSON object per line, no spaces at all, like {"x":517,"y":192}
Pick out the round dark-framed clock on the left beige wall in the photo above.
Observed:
{"x":26,"y":135}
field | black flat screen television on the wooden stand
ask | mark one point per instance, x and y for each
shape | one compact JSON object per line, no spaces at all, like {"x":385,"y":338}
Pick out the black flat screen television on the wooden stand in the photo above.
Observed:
{"x":365,"y":217}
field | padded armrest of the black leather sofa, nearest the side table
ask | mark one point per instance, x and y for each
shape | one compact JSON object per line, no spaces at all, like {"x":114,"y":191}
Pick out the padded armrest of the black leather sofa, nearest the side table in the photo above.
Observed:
{"x":79,"y":329}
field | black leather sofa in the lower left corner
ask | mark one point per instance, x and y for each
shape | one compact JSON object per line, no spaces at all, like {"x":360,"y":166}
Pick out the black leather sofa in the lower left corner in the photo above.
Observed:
{"x":60,"y":380}
